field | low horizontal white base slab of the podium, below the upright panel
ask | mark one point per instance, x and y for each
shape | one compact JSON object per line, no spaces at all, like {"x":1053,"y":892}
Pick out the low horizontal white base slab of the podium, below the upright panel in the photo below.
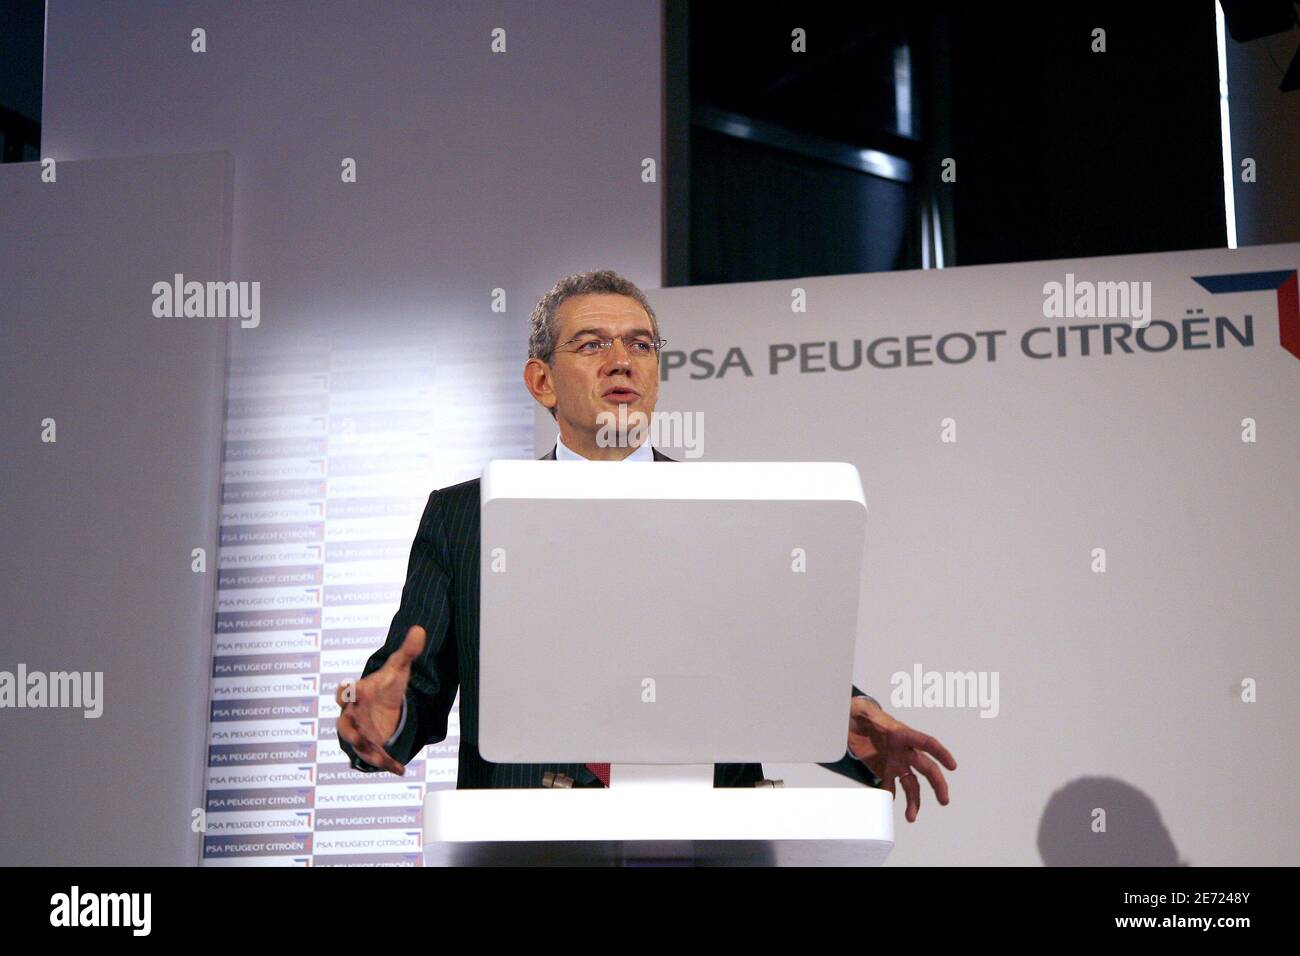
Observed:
{"x":666,"y":823}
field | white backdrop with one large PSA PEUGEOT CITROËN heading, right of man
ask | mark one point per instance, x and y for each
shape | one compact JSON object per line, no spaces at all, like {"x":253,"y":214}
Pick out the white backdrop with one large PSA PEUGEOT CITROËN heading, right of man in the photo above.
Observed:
{"x":1119,"y":691}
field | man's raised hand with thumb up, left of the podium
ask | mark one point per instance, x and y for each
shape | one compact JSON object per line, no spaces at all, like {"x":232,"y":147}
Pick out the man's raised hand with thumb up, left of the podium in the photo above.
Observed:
{"x":372,"y":707}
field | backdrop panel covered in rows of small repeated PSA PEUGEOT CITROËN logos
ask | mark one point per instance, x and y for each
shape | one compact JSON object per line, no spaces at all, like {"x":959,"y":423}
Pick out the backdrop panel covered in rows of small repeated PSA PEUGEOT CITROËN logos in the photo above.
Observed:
{"x":331,"y":453}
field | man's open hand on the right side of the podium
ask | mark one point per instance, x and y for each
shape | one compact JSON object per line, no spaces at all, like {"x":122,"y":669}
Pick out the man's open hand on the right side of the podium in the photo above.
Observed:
{"x":892,"y":750}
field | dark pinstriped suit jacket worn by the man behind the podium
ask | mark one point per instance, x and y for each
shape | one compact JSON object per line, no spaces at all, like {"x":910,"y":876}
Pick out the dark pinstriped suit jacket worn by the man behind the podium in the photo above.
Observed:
{"x":441,"y":595}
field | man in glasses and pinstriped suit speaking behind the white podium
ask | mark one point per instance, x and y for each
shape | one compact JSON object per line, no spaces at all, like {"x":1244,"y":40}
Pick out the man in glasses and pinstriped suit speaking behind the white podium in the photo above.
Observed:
{"x":593,"y":352}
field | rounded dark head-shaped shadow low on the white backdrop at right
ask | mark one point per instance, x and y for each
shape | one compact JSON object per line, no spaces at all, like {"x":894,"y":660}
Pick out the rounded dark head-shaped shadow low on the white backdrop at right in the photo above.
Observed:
{"x":1100,"y":821}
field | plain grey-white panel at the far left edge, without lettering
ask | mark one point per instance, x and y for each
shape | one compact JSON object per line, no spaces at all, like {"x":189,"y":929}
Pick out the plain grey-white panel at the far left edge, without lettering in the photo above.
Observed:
{"x":99,"y":526}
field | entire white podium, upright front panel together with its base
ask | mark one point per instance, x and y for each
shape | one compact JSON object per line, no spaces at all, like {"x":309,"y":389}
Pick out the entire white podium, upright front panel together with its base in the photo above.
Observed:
{"x":735,"y":561}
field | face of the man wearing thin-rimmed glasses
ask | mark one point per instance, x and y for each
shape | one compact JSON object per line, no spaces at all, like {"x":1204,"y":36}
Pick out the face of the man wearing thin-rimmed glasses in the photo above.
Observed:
{"x":584,"y":386}
